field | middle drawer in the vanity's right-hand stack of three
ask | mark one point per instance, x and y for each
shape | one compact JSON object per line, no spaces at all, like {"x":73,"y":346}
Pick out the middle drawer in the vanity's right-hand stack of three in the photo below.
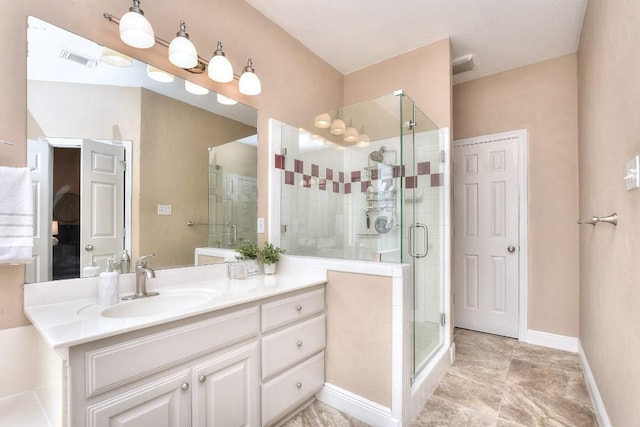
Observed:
{"x":291,"y":345}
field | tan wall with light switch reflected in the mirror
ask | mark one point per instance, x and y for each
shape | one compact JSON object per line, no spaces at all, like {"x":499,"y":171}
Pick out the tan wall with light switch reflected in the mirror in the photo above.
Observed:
{"x":174,"y":142}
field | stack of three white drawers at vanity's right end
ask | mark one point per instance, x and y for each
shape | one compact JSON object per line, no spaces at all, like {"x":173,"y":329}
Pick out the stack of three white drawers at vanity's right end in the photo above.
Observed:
{"x":292,"y":352}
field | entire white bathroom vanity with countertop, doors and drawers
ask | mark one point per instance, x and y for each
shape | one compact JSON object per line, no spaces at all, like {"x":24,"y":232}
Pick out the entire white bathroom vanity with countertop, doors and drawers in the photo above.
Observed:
{"x":234,"y":352}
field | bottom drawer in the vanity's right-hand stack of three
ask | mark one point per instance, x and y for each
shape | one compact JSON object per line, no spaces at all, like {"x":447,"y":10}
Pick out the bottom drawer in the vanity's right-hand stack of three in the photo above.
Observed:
{"x":291,"y":388}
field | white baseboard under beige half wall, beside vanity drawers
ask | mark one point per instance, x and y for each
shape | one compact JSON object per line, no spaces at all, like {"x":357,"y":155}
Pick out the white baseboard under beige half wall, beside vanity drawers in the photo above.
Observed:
{"x":358,"y":407}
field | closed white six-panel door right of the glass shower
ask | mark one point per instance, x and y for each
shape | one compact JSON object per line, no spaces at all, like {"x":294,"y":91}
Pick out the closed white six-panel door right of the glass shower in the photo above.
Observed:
{"x":486,"y":236}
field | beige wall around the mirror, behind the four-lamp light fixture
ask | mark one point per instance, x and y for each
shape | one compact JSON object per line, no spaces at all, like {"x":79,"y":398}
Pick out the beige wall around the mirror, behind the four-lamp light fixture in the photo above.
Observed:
{"x":296,"y":83}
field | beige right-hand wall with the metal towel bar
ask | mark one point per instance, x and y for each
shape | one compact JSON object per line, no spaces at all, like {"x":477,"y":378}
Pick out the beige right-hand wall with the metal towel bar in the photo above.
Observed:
{"x":608,"y":64}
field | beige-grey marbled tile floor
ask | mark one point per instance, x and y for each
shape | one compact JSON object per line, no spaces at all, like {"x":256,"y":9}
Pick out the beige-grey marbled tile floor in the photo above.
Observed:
{"x":495,"y":381}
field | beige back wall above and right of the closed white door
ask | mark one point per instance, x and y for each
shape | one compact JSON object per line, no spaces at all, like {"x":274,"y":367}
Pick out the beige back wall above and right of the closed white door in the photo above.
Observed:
{"x":542,"y":99}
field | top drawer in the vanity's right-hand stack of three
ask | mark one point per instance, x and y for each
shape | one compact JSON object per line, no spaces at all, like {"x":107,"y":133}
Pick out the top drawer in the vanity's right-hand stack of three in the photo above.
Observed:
{"x":287,"y":310}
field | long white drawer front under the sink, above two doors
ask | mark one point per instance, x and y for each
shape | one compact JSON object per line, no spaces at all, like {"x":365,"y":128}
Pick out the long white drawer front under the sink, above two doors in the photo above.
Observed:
{"x":118,"y":364}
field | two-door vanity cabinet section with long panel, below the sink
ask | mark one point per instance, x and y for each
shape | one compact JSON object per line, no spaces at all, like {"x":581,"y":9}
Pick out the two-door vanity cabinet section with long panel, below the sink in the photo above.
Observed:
{"x":198,"y":373}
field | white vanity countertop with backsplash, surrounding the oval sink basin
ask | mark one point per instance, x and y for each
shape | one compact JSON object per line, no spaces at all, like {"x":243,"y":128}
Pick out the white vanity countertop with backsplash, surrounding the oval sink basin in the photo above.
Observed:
{"x":65,"y":312}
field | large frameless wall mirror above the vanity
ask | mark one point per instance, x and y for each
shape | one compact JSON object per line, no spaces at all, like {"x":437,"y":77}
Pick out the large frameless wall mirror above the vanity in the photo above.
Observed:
{"x":126,"y":157}
